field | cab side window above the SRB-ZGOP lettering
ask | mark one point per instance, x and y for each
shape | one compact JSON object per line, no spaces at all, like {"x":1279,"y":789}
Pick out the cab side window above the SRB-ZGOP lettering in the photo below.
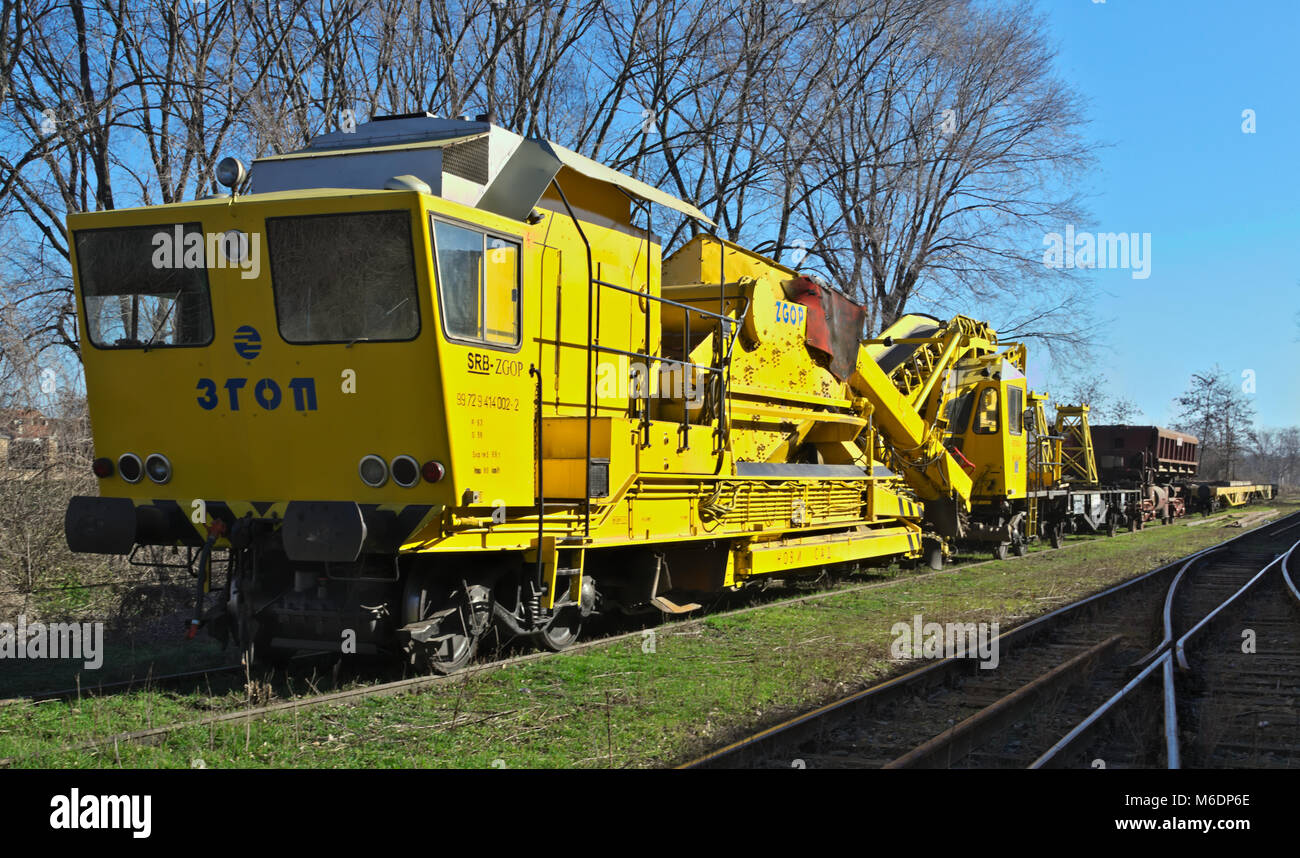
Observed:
{"x":478,"y":285}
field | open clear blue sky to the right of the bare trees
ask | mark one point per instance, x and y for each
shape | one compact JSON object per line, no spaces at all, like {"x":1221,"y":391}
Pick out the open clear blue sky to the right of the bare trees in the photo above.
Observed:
{"x":1168,"y":83}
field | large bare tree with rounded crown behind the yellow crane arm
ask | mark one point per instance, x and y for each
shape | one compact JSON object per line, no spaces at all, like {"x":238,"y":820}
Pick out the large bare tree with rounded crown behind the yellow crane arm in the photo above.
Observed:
{"x":942,"y":176}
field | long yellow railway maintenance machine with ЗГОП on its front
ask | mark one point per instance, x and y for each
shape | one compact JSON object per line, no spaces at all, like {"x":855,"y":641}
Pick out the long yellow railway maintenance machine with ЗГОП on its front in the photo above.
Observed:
{"x":432,"y":376}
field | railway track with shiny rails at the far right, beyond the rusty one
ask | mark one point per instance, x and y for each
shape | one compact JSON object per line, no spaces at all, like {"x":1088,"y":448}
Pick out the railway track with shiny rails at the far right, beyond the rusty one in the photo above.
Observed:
{"x":1223,"y":688}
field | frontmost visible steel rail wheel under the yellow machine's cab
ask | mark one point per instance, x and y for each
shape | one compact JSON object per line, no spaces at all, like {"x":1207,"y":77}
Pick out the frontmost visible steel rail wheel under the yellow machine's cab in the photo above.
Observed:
{"x":463,"y":614}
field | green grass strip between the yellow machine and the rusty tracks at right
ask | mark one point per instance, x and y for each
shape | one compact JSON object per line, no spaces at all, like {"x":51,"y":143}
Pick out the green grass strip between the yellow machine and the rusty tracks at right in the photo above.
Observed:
{"x":642,"y":703}
